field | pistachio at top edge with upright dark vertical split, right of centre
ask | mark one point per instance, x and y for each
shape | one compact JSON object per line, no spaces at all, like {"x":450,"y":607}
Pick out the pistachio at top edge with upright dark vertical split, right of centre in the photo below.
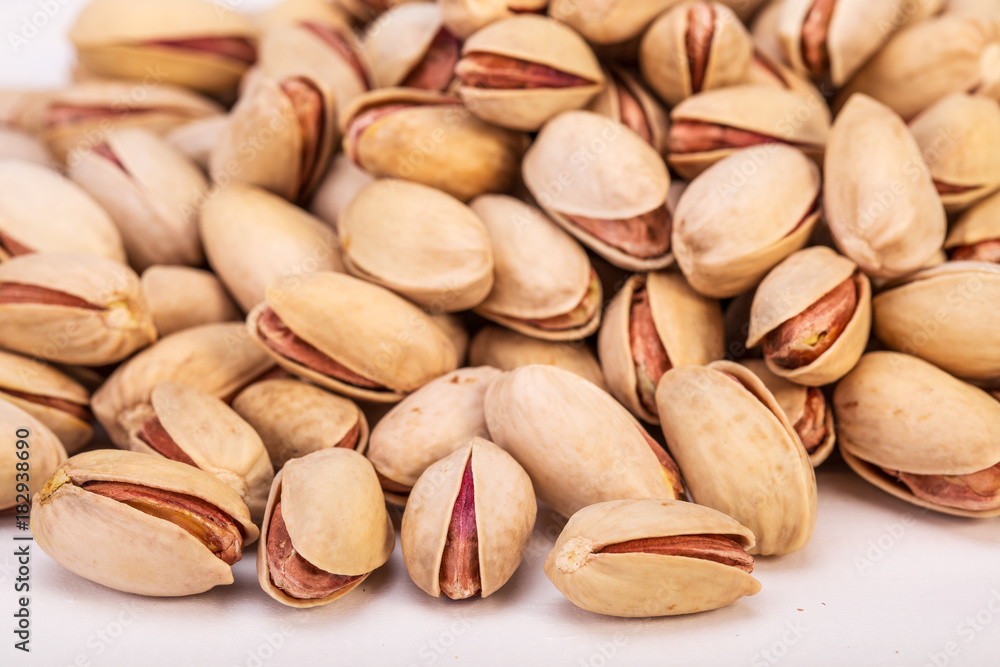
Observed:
{"x":692,"y":47}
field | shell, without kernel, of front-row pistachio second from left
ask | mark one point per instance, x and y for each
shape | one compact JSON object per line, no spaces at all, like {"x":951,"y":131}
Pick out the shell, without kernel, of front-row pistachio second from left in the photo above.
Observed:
{"x":335,"y":516}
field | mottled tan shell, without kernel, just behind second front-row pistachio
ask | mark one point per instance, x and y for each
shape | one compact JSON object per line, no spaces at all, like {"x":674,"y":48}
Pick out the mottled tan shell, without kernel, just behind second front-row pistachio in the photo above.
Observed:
{"x":295,"y":419}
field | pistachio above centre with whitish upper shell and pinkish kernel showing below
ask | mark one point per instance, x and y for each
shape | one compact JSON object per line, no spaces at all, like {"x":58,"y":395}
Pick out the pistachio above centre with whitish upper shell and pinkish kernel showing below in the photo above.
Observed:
{"x":574,"y":171}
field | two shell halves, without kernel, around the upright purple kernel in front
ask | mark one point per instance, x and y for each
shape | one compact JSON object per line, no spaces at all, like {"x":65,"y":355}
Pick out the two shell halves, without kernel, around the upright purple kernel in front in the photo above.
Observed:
{"x":505,"y":515}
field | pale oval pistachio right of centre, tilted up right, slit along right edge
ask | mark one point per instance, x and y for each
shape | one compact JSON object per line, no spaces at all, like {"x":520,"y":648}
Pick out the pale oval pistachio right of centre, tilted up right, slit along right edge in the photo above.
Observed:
{"x":726,"y":244}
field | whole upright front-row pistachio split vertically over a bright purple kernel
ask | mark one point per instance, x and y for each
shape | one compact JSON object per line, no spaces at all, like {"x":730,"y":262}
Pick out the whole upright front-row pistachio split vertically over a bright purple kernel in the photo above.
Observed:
{"x":435,"y":532}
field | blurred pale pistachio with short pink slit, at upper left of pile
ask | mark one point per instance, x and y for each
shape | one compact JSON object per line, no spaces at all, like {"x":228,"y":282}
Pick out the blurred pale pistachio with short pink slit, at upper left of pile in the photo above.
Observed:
{"x":152,"y":193}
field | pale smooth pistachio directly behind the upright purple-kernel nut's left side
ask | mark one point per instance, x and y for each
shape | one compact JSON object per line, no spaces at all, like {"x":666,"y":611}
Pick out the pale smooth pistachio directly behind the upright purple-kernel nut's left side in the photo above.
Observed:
{"x":428,"y":425}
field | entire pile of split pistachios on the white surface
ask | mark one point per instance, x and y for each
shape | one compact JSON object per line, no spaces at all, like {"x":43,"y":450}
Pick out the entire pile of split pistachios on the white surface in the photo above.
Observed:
{"x":648,"y":263}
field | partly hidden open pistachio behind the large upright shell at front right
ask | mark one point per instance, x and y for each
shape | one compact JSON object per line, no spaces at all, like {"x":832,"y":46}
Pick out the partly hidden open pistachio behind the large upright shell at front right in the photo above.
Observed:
{"x":807,"y":410}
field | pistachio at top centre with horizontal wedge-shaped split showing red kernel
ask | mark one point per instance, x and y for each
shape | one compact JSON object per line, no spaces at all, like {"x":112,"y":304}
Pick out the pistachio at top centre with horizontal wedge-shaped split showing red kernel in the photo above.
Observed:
{"x":521,"y":71}
